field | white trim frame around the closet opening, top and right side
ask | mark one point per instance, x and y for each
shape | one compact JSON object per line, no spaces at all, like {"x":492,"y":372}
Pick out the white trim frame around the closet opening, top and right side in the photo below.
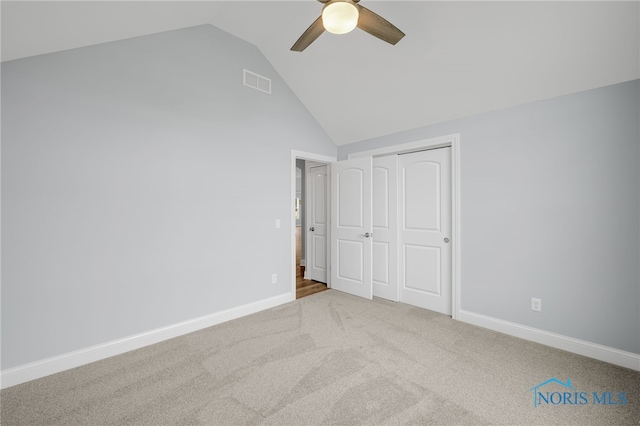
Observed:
{"x":452,"y":141}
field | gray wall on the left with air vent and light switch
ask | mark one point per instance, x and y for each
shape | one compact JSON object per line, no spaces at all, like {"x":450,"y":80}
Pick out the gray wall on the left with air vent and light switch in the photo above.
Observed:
{"x":140,"y":186}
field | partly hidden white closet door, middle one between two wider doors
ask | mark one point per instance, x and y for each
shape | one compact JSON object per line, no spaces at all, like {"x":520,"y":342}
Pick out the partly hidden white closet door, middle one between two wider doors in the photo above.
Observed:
{"x":385,"y":227}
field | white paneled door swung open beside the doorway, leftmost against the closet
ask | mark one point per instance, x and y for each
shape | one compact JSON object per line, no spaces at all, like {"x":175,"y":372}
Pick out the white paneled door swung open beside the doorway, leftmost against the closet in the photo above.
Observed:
{"x":351,"y":226}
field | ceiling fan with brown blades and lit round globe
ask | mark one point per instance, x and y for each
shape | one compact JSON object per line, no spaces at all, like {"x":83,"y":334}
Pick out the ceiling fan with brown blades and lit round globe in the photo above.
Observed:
{"x":342,"y":16}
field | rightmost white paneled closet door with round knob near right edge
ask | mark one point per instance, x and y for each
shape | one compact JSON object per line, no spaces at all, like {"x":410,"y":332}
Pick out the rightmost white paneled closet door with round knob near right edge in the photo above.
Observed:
{"x":425,"y":229}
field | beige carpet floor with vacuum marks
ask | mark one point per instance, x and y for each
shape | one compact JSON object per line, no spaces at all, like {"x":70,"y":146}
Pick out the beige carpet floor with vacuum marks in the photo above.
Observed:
{"x":332,"y":358}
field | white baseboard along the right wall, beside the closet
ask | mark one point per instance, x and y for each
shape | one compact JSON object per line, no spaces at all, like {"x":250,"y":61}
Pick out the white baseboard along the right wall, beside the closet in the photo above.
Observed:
{"x":580,"y":347}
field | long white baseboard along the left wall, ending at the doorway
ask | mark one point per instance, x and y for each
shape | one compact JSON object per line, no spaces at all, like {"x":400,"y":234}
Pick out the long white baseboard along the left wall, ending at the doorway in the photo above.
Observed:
{"x":35,"y":370}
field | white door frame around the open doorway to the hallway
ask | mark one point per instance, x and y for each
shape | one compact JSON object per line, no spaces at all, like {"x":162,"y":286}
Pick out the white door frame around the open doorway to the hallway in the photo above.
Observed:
{"x":316,"y":158}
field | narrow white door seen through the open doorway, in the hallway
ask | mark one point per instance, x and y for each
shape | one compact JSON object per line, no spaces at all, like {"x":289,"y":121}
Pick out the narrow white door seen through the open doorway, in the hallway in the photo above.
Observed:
{"x":316,"y":262}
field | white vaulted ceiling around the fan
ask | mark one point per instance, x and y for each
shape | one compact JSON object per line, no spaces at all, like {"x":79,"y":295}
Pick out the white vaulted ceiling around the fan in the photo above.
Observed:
{"x":457,"y":59}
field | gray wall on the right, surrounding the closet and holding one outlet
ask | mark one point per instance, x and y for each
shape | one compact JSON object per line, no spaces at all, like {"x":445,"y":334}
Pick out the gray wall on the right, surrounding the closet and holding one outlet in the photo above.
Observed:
{"x":550,"y":195}
